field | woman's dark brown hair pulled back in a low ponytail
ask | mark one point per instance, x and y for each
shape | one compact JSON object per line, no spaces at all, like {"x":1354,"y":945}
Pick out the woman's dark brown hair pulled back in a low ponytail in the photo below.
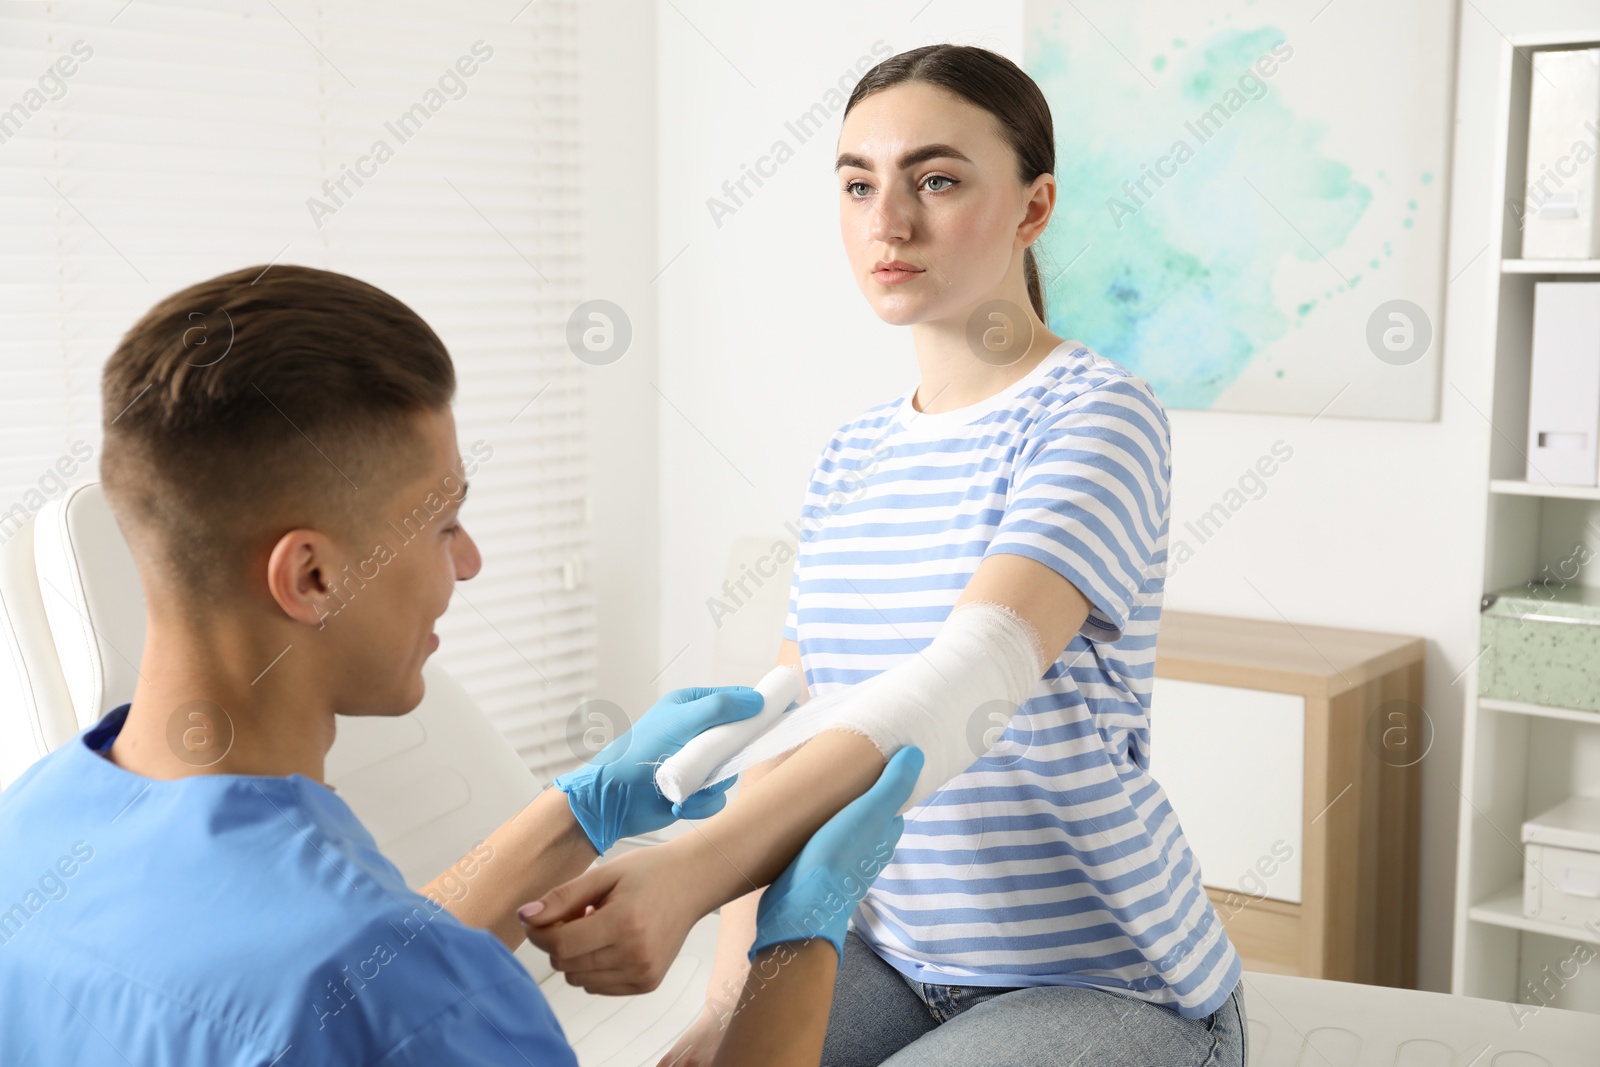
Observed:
{"x":993,"y":82}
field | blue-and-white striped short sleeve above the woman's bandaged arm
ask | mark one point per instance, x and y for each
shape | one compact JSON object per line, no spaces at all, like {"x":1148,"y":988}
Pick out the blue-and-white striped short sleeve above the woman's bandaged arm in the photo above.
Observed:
{"x":1090,"y":500}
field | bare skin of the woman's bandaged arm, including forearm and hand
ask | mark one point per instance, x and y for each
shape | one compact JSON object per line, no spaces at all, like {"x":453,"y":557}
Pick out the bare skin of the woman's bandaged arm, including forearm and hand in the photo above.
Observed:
{"x":647,"y":901}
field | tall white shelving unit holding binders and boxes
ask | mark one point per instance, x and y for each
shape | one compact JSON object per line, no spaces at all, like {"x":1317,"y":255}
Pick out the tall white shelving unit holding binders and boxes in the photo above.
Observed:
{"x":1522,"y":759}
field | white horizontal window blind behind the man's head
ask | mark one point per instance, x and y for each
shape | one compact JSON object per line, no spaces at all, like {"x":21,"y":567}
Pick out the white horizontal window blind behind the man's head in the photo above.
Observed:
{"x":146,"y":146}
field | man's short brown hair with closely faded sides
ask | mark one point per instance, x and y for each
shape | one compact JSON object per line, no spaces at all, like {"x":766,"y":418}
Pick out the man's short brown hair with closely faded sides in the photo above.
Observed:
{"x":258,"y":402}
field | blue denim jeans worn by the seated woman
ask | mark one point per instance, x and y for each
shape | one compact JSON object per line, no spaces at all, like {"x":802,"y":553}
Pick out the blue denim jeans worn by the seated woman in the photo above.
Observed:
{"x":881,"y":1017}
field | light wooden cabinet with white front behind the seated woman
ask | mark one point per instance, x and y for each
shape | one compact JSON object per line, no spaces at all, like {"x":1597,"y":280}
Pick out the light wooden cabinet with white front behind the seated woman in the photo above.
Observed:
{"x":1292,"y":756}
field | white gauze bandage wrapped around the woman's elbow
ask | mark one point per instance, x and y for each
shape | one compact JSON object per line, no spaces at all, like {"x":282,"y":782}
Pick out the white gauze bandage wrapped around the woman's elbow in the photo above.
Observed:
{"x":980,"y":668}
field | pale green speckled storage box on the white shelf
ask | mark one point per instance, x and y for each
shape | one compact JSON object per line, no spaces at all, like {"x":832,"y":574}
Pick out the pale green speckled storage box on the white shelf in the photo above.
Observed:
{"x":1542,"y":645}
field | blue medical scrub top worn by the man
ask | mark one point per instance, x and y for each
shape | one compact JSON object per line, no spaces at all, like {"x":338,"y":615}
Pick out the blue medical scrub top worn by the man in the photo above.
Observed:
{"x":233,"y":919}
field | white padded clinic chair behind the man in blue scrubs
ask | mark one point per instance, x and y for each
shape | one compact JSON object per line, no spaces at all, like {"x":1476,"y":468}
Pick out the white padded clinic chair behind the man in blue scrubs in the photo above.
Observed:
{"x":428,"y":785}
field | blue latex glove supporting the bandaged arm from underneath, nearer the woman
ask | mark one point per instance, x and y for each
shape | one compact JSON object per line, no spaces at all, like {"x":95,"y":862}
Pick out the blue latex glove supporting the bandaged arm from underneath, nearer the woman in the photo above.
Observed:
{"x":822,"y":889}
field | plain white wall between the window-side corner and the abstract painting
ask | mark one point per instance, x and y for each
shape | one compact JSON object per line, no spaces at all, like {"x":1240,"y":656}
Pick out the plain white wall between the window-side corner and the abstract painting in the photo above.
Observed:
{"x":766,"y":342}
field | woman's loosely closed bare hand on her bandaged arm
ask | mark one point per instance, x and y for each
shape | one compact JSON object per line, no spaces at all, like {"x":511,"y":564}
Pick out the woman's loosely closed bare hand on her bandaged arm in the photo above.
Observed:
{"x":618,"y":929}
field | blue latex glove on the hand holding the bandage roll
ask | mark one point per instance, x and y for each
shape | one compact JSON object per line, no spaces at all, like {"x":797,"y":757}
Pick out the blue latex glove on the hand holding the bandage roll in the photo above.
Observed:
{"x":615,"y":794}
